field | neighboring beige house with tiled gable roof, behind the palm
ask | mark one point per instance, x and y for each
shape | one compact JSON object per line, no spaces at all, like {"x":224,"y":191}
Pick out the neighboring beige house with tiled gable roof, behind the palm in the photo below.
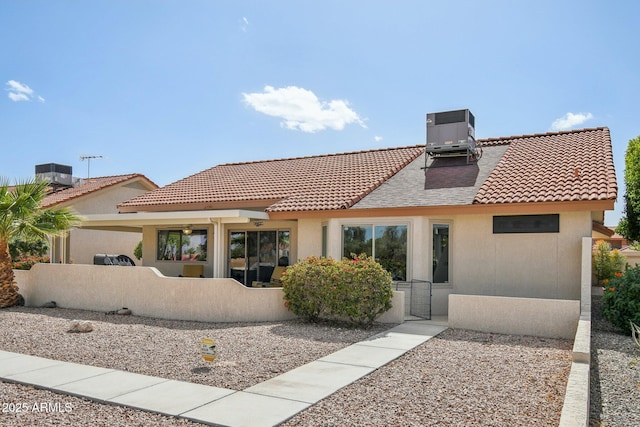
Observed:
{"x":91,"y":196}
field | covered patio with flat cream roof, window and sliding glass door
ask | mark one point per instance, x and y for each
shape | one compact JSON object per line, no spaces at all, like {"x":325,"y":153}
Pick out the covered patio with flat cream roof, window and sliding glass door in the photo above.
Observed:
{"x":224,"y":242}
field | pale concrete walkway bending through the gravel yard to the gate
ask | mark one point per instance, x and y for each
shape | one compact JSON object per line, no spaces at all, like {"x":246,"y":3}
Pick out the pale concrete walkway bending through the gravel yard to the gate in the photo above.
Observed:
{"x":270,"y":402}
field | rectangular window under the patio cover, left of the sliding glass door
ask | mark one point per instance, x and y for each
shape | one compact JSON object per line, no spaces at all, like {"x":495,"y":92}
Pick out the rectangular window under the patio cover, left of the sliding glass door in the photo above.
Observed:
{"x":174,"y":245}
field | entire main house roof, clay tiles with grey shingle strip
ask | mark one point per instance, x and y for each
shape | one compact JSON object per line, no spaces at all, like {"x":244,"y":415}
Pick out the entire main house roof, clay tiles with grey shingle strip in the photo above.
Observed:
{"x":560,"y":166}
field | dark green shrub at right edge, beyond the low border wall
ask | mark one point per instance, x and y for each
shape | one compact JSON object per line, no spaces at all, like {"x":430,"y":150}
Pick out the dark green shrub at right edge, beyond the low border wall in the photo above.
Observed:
{"x":621,"y":299}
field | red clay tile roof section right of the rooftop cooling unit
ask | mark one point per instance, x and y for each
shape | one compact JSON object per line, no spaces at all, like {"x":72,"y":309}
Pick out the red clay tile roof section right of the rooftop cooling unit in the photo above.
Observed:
{"x":563,"y":166}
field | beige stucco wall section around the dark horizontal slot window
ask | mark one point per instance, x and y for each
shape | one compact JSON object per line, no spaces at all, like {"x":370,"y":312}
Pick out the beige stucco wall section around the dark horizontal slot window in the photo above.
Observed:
{"x":545,"y":265}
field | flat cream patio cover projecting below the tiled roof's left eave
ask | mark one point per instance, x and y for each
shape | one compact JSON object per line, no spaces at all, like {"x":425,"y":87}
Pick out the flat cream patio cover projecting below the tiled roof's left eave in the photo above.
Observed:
{"x":134,"y":222}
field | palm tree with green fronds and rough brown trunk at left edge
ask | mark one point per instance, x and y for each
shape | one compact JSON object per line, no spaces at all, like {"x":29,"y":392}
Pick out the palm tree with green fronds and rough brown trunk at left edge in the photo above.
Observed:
{"x":21,"y":215}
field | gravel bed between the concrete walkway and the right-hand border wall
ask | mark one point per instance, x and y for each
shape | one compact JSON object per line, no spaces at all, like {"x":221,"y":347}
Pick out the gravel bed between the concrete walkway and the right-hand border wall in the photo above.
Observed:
{"x":459,"y":378}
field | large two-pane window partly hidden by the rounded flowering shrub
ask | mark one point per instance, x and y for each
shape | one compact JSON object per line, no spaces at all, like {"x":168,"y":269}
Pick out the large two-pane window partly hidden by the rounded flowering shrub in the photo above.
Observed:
{"x":386,"y":243}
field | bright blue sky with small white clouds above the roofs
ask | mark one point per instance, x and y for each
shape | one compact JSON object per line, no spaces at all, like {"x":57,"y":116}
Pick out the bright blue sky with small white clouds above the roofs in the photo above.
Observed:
{"x":170,"y":88}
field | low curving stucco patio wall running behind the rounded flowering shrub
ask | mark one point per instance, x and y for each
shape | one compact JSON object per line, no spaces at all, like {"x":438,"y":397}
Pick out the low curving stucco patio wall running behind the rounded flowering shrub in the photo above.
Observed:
{"x":148,"y":293}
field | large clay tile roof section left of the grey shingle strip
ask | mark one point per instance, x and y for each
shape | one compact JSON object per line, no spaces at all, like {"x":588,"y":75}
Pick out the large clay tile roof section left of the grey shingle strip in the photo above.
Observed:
{"x":335,"y":181}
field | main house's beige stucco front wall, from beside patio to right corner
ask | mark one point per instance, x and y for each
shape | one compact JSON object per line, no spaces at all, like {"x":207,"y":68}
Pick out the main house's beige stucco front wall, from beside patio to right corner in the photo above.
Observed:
{"x":545,"y":265}
